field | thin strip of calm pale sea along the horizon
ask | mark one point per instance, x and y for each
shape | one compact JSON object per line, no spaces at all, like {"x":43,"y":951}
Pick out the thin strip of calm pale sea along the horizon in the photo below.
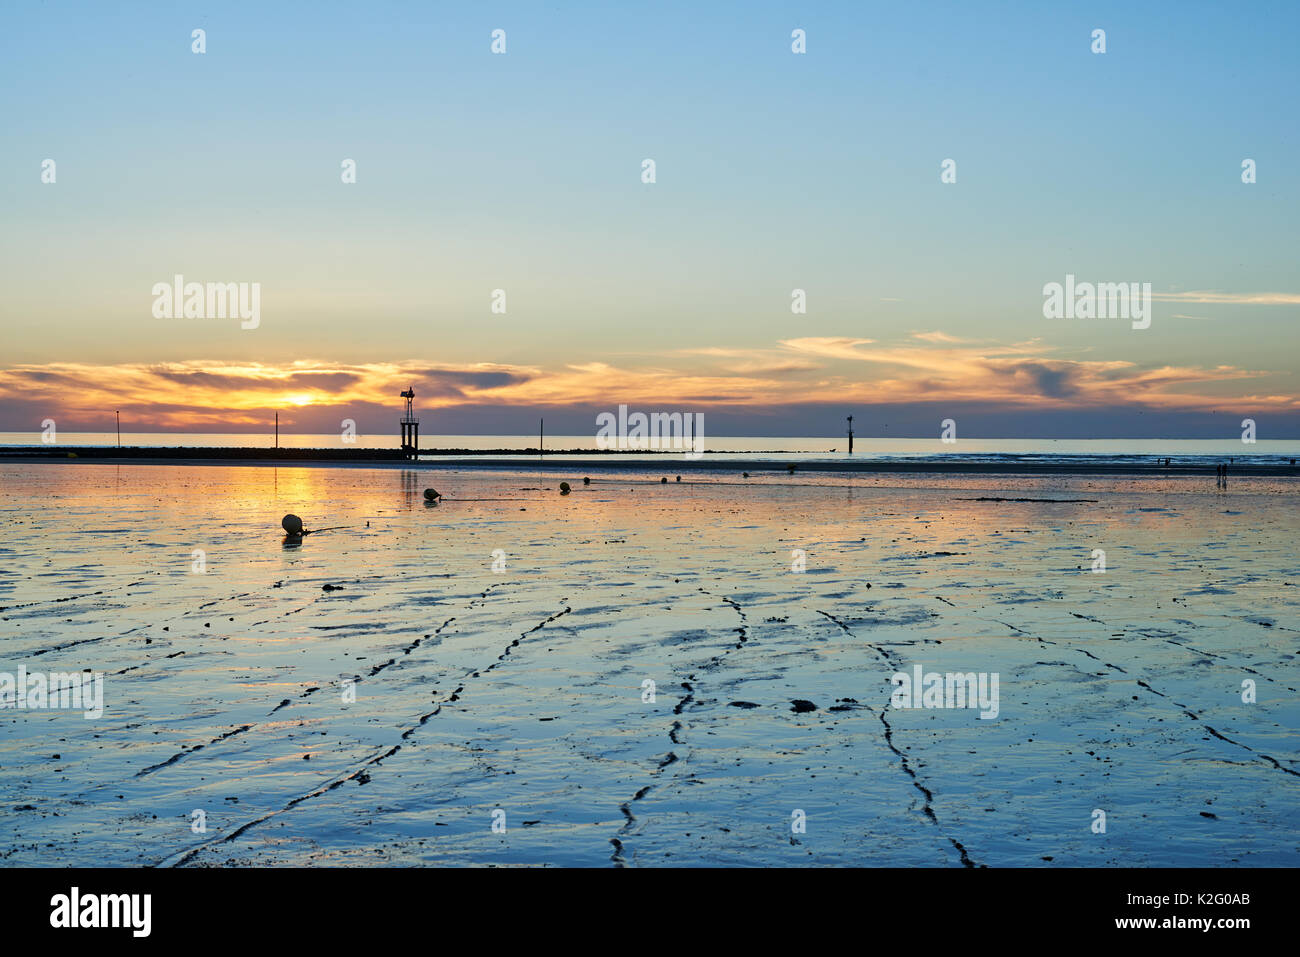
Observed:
{"x":803,"y":448}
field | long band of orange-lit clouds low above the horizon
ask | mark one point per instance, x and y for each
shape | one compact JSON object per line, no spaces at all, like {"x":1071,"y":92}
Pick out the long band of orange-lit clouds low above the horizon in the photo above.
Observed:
{"x":928,"y":367}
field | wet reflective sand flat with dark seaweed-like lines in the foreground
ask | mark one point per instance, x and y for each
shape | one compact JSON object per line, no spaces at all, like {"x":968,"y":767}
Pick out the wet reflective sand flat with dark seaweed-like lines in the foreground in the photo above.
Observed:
{"x":389,"y":690}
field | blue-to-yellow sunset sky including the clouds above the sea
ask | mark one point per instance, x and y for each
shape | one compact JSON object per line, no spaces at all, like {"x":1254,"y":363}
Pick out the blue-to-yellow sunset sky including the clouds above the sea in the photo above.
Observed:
{"x":774,"y":172}
